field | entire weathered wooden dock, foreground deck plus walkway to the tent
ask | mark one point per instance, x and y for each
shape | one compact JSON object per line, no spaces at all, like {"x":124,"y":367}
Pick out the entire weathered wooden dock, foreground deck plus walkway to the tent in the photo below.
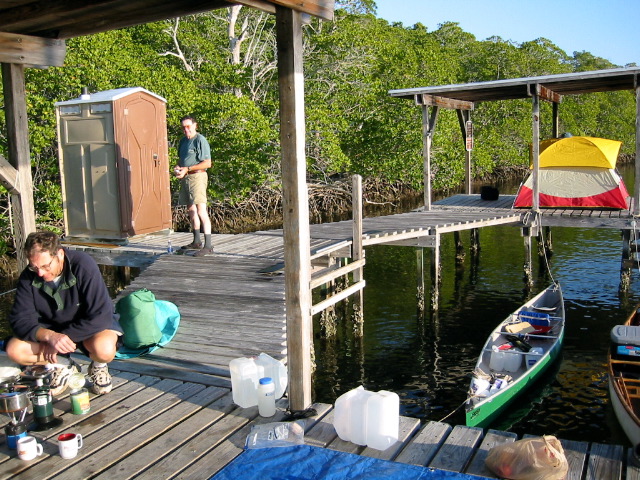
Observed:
{"x":171,"y":414}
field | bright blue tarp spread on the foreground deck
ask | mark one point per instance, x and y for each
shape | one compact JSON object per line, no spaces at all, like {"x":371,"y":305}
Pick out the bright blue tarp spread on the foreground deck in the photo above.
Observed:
{"x":304,"y":462}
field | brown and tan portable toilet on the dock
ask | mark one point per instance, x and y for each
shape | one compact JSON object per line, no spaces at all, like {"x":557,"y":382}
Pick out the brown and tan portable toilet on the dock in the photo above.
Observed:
{"x":114,"y":164}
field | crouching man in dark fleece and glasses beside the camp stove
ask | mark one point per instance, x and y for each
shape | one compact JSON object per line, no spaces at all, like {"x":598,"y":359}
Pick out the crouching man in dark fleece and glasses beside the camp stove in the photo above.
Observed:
{"x":61,"y":304}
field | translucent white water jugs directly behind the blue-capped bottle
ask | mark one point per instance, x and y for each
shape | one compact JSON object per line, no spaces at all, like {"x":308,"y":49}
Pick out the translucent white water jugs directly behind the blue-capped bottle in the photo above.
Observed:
{"x":246,"y":372}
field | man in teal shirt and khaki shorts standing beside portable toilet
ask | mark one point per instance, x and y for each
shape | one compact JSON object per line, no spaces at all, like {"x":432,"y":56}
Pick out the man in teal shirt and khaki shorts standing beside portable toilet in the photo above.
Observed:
{"x":194,"y":158}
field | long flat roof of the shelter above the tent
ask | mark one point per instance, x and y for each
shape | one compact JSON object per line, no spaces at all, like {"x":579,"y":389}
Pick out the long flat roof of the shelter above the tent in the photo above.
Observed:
{"x":563,"y":84}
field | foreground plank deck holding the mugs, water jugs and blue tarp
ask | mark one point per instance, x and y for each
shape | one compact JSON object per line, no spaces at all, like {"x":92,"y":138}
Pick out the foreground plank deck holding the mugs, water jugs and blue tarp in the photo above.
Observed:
{"x":150,"y":427}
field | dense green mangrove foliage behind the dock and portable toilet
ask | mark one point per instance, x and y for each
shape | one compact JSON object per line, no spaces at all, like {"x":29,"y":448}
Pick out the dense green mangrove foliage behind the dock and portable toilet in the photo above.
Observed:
{"x":352,"y":124}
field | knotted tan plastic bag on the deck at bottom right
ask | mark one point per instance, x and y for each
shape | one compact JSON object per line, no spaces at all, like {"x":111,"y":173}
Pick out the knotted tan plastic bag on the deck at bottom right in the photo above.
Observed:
{"x":537,"y":458}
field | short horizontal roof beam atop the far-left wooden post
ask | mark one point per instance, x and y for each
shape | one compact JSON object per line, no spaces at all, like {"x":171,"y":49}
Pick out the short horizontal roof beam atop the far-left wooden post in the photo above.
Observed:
{"x":31,"y":51}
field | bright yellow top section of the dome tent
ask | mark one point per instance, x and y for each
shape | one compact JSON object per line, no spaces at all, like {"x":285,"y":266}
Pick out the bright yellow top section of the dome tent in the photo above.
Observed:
{"x":579,"y":152}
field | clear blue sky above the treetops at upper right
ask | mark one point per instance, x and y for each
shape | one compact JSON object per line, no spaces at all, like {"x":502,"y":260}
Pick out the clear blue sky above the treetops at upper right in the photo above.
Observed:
{"x":606,"y":28}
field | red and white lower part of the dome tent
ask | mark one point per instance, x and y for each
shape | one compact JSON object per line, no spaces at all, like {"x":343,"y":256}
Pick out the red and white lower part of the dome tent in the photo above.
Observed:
{"x":589,"y":187}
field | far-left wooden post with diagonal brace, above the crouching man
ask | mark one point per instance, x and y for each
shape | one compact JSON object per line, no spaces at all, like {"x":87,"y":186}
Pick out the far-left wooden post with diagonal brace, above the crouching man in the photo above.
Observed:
{"x":15,"y":105}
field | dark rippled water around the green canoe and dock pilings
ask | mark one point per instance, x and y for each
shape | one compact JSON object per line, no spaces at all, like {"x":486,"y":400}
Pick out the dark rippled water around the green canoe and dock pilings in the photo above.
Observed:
{"x":427,"y":358}
